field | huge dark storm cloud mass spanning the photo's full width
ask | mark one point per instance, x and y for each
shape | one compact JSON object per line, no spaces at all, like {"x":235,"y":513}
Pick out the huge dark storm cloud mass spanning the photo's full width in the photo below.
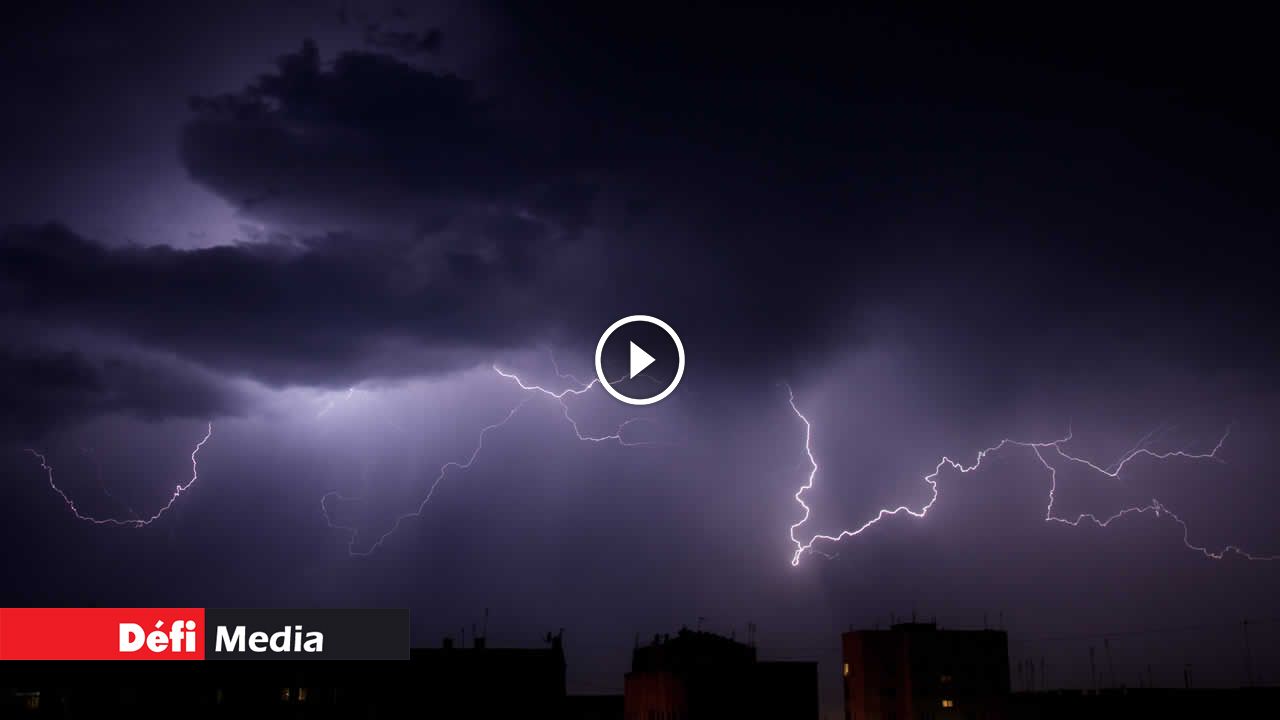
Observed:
{"x":771,"y":215}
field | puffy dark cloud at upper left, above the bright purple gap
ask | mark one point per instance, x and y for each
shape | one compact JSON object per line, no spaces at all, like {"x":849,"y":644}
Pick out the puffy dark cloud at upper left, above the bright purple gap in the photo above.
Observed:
{"x":369,"y":136}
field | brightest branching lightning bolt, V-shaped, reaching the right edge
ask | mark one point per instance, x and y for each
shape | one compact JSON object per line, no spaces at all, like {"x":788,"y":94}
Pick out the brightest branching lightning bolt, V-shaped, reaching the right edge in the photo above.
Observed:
{"x":1040,"y":450}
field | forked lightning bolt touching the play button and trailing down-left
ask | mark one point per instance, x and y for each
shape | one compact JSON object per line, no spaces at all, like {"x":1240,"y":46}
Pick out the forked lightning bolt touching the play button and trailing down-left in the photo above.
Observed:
{"x":534,"y":391}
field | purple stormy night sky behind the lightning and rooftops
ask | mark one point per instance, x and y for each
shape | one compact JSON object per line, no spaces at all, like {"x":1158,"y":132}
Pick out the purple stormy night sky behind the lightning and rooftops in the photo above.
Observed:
{"x":319,"y":226}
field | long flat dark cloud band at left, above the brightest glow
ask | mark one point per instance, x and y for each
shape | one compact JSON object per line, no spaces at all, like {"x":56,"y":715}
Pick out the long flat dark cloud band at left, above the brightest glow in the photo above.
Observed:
{"x":322,"y":312}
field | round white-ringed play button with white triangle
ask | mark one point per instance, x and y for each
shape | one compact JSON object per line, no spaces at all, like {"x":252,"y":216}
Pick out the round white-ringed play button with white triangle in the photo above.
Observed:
{"x":639,"y":361}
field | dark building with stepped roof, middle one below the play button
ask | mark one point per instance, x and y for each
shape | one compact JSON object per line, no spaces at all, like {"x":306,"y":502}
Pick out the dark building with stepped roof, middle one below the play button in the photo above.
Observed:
{"x":696,"y":676}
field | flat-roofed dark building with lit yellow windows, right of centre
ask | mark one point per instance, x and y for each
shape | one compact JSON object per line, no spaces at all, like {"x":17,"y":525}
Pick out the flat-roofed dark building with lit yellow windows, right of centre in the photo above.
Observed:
{"x":920,"y":672}
